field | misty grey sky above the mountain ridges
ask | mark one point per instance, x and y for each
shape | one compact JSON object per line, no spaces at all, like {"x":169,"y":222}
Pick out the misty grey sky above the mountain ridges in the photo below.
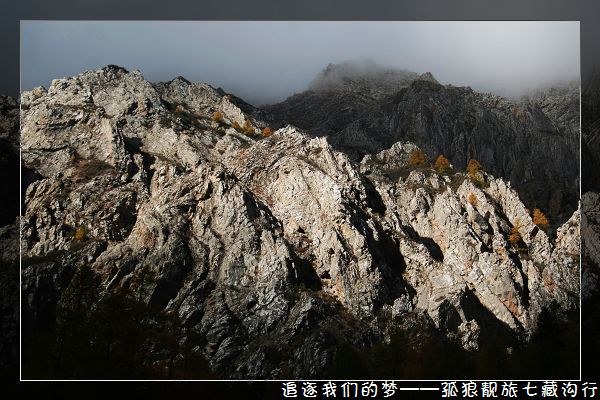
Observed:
{"x":266,"y":61}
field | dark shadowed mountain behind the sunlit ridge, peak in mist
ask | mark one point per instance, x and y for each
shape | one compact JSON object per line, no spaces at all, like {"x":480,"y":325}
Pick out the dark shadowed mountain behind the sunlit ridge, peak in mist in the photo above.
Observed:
{"x":533,"y":143}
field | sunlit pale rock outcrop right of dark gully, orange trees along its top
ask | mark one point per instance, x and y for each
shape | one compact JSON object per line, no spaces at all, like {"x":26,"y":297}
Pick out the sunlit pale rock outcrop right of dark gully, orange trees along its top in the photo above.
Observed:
{"x":466,"y":228}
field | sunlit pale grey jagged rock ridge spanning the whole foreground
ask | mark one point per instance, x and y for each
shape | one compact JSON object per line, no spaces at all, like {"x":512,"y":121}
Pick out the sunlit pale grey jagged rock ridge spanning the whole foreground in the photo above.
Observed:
{"x":275,"y":251}
